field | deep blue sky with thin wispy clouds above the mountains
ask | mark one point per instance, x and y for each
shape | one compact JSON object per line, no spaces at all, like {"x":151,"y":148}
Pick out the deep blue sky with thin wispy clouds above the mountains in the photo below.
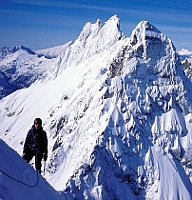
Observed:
{"x":40,"y":24}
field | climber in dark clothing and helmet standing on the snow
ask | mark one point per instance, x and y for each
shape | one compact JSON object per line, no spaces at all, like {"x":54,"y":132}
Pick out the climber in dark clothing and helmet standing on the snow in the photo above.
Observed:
{"x":36,"y":144}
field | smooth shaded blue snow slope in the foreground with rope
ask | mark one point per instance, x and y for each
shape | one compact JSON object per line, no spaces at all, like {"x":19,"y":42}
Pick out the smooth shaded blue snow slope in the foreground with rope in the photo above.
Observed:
{"x":18,"y":180}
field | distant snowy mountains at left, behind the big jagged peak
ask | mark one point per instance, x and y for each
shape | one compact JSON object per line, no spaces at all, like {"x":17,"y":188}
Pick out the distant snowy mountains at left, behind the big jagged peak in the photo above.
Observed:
{"x":20,"y":67}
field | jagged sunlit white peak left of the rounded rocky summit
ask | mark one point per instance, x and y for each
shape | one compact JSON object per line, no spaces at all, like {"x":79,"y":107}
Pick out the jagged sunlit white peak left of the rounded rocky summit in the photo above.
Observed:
{"x":93,"y":39}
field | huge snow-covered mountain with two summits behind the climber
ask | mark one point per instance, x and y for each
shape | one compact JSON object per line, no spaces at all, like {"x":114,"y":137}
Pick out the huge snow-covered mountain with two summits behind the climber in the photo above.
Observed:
{"x":118,"y":113}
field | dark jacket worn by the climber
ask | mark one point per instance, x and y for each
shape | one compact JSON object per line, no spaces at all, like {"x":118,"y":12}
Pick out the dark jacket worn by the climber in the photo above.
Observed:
{"x":36,"y":140}
